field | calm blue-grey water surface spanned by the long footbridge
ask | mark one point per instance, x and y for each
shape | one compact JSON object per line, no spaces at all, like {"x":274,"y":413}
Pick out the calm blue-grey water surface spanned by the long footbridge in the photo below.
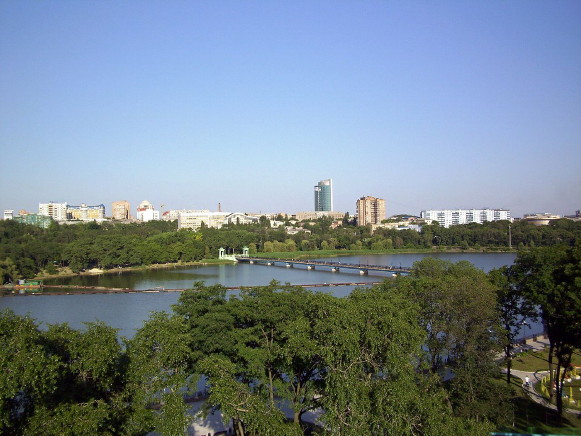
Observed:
{"x":127,"y":312}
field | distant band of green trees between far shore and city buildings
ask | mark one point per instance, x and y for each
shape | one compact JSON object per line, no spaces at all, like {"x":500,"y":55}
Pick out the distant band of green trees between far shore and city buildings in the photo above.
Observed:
{"x":27,"y":250}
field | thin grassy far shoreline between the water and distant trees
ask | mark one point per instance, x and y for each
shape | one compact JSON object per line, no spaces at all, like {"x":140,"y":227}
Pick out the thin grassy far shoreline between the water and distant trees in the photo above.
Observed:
{"x":274,"y":255}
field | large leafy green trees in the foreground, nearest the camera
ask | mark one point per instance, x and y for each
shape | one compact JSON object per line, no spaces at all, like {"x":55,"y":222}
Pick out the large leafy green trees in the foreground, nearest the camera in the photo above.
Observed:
{"x":412,"y":356}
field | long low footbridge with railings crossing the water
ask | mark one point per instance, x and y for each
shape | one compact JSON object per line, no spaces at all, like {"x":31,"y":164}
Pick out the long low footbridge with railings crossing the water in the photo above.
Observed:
{"x":333,"y":266}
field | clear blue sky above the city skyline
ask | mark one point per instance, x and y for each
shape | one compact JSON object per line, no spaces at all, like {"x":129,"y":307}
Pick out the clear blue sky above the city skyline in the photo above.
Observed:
{"x":447,"y":104}
